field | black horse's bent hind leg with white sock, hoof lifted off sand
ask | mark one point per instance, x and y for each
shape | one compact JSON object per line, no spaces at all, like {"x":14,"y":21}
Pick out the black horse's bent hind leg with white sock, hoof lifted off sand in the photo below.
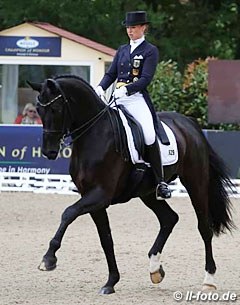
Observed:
{"x":167,"y":219}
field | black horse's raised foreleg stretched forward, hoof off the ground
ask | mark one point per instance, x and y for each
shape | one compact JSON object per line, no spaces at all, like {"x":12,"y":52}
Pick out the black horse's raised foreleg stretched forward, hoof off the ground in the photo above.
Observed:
{"x":94,"y":200}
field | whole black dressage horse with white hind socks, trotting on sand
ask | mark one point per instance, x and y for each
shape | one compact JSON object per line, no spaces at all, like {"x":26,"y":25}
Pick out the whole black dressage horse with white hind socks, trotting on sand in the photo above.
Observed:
{"x":69,"y":107}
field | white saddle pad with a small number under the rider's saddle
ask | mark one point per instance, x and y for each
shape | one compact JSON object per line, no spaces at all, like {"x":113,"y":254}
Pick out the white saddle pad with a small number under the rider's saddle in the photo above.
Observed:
{"x":169,"y":153}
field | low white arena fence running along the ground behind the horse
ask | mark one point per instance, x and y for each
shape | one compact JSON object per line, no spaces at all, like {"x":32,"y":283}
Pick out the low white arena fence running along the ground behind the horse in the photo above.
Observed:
{"x":62,"y":184}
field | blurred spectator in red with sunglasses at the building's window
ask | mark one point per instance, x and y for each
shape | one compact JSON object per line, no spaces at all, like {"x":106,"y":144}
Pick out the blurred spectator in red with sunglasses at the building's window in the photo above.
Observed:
{"x":28,"y":116}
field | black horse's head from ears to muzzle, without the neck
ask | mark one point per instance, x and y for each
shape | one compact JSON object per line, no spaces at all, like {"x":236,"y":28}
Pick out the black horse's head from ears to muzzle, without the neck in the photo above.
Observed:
{"x":53,"y":110}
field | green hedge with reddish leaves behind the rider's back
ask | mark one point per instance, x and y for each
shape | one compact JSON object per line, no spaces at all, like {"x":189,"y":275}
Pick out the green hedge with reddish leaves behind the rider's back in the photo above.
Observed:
{"x":184,"y":92}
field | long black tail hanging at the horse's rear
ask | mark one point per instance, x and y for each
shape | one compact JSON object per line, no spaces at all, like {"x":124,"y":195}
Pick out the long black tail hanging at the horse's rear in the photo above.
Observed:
{"x":219,"y":201}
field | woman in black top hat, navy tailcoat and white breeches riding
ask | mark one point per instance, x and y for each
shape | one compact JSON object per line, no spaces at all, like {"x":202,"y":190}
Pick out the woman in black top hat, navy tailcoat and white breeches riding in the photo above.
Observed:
{"x":133,"y":67}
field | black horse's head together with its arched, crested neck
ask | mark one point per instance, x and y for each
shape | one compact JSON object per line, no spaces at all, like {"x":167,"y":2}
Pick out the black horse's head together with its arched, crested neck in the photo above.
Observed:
{"x":68,"y":106}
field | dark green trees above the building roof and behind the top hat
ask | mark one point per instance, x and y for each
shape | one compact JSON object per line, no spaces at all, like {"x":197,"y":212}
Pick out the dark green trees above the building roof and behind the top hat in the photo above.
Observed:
{"x":183,"y":30}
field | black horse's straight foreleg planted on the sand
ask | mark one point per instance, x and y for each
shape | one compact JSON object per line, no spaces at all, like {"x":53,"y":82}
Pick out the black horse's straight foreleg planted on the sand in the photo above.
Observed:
{"x":100,"y":218}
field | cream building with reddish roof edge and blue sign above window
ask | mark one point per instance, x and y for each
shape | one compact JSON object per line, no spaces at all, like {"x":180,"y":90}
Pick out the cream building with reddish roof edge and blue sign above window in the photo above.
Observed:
{"x":35,"y":51}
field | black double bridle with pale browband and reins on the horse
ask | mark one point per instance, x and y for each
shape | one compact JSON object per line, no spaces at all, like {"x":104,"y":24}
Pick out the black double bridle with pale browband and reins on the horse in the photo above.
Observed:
{"x":79,"y":131}
